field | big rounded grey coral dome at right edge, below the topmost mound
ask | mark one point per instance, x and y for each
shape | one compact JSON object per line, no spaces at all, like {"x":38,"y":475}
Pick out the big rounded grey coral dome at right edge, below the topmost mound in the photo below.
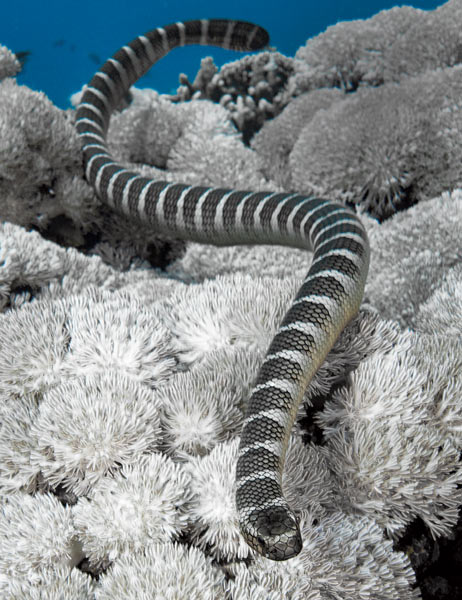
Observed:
{"x":384,"y":148}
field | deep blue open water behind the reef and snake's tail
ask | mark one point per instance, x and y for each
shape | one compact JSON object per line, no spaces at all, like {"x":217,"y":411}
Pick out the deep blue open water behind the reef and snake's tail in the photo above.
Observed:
{"x":68,"y":40}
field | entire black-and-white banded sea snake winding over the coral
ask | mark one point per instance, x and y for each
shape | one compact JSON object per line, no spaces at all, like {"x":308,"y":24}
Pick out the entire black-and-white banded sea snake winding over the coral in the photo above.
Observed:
{"x":328,"y":298}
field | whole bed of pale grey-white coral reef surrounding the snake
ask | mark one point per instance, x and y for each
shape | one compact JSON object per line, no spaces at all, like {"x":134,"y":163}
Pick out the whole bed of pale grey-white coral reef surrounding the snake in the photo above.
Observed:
{"x":126,"y":360}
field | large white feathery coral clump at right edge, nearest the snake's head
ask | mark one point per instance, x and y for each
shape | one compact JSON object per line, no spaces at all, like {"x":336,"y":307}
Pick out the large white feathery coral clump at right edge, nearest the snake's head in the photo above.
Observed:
{"x":385,"y":444}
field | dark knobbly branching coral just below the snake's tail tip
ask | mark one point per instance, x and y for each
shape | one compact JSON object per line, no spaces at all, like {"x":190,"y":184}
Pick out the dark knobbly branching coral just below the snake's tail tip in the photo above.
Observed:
{"x":251,"y":89}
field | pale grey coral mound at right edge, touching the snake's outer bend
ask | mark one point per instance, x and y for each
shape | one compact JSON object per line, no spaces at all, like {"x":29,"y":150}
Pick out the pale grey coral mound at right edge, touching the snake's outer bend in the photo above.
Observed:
{"x":405,"y":269}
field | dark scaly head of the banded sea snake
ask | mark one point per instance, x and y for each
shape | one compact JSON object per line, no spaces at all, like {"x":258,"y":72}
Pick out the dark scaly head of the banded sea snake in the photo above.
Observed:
{"x":273,"y":532}
